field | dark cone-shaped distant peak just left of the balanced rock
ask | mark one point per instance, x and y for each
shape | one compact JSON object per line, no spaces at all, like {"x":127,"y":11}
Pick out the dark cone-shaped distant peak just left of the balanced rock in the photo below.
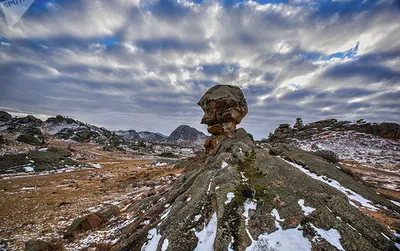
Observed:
{"x":186,"y":135}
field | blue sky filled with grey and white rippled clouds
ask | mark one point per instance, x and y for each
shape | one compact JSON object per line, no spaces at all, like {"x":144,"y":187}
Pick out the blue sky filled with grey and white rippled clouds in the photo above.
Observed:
{"x":143,"y":65}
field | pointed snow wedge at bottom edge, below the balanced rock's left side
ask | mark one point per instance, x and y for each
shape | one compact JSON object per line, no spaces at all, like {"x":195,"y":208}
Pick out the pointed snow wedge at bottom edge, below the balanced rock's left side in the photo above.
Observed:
{"x":207,"y":236}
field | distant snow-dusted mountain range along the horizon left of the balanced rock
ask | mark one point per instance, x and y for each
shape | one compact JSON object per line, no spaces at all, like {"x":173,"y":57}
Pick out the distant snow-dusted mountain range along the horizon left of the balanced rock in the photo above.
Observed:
{"x":34,"y":131}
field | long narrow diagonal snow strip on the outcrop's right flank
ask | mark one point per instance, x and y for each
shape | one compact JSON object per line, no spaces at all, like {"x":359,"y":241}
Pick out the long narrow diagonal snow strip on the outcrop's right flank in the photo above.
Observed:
{"x":351,"y":195}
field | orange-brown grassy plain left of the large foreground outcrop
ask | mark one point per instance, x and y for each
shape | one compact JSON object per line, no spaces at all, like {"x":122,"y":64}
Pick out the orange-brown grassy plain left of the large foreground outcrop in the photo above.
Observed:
{"x":43,"y":206}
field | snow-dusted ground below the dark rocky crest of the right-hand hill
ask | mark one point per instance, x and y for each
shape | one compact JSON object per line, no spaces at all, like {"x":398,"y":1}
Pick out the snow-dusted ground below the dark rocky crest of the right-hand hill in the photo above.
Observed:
{"x":361,"y":151}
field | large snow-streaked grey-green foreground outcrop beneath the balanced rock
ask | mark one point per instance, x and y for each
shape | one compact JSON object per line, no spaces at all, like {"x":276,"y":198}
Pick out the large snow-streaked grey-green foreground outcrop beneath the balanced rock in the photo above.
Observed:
{"x":243,"y":197}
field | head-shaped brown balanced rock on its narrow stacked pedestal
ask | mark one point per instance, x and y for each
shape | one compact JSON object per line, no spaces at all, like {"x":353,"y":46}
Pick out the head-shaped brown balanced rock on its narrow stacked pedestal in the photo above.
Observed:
{"x":224,"y":107}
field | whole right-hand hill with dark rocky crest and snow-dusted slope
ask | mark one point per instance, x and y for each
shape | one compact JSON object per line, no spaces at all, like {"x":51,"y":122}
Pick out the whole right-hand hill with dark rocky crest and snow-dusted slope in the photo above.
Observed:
{"x":368,"y":152}
